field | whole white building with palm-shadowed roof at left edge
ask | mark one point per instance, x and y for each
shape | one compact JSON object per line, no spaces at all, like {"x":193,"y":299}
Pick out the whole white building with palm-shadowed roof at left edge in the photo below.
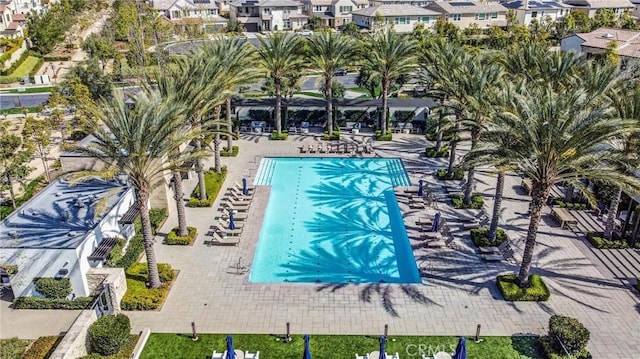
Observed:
{"x":64,"y":231}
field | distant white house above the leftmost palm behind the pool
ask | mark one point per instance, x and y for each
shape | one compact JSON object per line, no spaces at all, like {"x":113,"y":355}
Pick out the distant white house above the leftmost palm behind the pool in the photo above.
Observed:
{"x":268,"y":15}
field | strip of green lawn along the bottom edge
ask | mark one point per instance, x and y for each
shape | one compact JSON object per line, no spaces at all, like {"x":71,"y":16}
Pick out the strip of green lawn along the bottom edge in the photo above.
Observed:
{"x":326,"y":346}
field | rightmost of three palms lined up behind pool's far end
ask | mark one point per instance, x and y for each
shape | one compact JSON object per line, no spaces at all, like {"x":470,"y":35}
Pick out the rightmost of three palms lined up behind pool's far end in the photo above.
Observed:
{"x":388,"y":56}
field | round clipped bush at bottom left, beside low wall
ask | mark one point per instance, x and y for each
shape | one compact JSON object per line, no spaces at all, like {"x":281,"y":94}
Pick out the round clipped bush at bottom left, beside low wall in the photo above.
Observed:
{"x":109,"y":333}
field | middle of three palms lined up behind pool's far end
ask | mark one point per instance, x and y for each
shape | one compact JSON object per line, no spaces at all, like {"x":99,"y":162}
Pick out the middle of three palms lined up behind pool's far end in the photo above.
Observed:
{"x":329,"y":51}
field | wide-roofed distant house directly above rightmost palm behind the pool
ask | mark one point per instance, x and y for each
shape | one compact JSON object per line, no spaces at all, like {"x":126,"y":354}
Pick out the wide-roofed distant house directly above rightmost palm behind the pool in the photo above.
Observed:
{"x":403,"y":17}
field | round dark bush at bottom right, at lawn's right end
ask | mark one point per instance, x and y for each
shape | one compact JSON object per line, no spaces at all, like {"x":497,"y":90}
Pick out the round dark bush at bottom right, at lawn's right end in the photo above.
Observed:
{"x":568,"y":331}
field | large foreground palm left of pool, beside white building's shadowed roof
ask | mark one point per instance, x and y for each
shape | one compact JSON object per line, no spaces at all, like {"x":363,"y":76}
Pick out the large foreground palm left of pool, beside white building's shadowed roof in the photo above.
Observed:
{"x":135,"y":142}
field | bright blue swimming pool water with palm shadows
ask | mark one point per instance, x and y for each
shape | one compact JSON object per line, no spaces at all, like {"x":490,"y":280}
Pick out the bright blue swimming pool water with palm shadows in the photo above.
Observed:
{"x":333,"y":220}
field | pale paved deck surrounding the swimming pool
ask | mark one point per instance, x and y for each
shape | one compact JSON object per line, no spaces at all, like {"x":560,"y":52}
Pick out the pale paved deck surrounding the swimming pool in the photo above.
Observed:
{"x":458,"y":291}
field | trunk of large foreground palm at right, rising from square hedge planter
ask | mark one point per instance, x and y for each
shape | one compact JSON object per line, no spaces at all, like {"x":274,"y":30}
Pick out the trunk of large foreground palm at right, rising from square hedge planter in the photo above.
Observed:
{"x":539,"y":196}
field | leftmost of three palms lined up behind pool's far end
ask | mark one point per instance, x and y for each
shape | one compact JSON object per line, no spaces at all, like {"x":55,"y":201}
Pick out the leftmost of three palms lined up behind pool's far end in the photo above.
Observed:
{"x":280,"y":55}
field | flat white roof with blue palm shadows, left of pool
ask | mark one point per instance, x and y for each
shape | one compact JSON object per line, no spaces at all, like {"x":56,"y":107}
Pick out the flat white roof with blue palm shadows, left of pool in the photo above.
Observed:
{"x":61,"y":215}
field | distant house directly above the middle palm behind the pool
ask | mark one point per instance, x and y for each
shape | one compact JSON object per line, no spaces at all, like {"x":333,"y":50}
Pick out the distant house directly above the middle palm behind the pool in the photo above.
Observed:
{"x":333,"y":13}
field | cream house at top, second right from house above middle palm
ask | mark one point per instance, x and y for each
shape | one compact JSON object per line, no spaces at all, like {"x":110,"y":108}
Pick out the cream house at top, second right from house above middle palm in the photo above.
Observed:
{"x":464,"y":14}
